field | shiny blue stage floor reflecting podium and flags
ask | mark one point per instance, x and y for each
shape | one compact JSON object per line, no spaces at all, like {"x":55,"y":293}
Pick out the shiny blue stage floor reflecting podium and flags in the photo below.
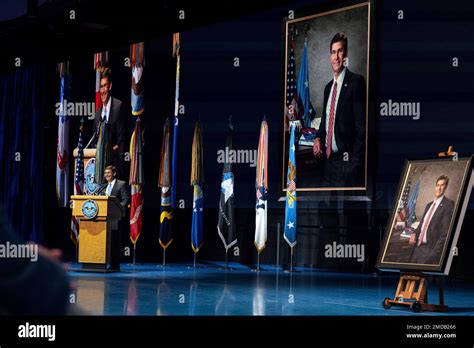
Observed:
{"x":149,"y":290}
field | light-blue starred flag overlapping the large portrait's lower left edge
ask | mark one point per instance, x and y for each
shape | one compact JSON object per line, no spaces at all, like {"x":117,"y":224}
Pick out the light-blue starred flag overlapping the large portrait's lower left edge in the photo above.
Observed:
{"x":290,"y":210}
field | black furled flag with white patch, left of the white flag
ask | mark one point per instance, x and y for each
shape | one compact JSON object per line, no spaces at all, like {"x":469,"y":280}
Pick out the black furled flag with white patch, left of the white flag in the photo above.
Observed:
{"x":225,"y":220}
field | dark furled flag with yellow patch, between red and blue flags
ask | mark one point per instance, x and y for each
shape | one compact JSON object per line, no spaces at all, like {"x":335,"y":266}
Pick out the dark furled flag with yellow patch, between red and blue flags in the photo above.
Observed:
{"x":166,"y":216}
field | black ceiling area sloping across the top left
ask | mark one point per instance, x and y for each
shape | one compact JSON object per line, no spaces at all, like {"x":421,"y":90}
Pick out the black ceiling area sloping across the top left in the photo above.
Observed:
{"x":47,"y":30}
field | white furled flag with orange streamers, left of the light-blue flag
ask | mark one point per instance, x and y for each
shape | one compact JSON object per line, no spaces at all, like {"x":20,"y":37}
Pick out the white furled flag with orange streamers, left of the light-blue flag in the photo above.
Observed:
{"x":261,"y":185}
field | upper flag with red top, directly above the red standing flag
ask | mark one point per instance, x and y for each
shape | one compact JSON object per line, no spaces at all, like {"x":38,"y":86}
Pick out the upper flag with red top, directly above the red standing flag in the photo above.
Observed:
{"x":137,"y":59}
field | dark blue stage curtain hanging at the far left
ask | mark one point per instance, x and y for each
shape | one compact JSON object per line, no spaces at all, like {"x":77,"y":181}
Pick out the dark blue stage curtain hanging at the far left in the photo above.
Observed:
{"x":21,"y":151}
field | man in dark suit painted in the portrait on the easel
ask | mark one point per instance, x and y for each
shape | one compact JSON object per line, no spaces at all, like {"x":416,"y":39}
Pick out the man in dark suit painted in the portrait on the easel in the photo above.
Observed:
{"x":429,"y":237}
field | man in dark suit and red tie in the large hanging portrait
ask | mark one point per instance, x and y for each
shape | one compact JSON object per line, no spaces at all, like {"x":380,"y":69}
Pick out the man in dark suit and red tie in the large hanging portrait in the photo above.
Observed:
{"x":340,"y":141}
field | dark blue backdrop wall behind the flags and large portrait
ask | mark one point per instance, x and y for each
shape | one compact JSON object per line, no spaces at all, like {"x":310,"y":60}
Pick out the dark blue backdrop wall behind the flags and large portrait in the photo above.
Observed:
{"x":413,"y":63}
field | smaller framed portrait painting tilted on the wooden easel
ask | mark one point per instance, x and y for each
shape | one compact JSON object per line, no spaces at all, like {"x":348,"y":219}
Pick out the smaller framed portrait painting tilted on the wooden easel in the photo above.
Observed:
{"x":425,"y":223}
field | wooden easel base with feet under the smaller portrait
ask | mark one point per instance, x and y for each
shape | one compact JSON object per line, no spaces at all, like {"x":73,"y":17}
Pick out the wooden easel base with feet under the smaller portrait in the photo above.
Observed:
{"x":412,"y":292}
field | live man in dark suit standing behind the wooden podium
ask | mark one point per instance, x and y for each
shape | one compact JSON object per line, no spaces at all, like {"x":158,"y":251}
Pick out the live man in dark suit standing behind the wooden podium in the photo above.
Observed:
{"x":119,"y":189}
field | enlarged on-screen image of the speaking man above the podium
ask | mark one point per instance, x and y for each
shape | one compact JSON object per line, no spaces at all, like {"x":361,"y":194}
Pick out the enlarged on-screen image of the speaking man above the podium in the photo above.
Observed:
{"x":111,"y":112}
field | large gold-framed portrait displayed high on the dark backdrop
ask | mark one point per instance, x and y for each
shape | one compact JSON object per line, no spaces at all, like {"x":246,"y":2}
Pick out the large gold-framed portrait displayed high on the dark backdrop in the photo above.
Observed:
{"x":327,"y":80}
